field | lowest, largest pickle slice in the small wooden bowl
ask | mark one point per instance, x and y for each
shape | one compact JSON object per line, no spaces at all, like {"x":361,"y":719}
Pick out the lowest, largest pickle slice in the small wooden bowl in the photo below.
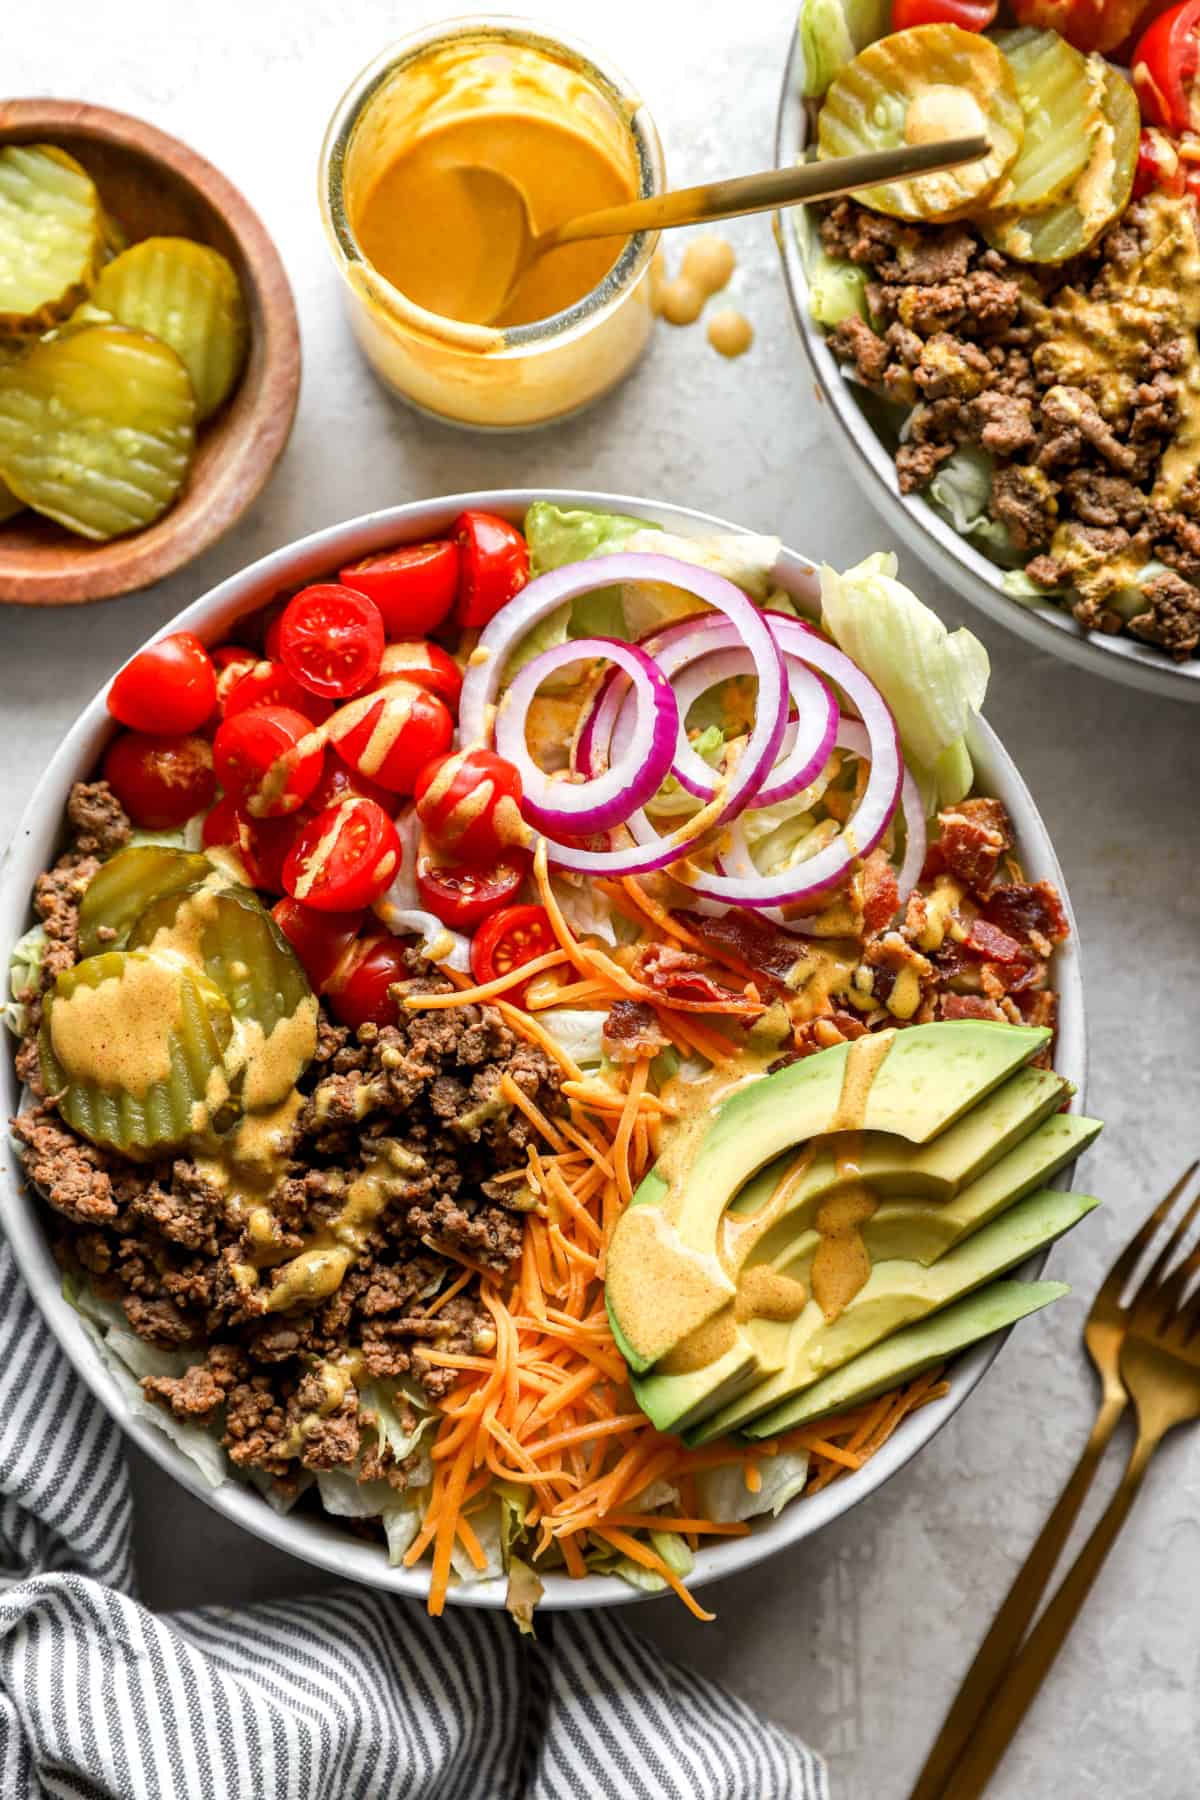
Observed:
{"x":98,"y":429}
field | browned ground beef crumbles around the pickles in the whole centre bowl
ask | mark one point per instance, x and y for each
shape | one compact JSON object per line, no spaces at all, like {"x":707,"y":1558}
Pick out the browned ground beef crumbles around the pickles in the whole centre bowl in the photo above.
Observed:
{"x":157,"y":1237}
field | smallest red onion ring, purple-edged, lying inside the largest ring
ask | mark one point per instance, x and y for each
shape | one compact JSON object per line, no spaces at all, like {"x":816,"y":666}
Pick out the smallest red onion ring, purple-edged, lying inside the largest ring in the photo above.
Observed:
{"x":613,"y":793}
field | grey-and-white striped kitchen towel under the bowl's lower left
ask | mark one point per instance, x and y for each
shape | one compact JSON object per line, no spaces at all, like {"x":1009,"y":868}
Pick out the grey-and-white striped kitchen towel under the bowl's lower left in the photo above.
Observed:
{"x":345,"y":1696}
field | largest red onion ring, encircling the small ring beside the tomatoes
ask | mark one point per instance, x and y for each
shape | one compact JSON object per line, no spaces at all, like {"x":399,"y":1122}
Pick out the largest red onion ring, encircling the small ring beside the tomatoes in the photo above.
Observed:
{"x":559,"y":586}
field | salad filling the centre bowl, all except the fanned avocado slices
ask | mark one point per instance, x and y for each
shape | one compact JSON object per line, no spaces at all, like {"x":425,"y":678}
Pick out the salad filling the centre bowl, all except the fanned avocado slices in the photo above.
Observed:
{"x":384,"y":951}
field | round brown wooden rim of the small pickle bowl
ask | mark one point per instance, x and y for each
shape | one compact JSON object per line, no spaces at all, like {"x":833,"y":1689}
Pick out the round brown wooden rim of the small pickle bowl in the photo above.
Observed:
{"x":201,"y":517}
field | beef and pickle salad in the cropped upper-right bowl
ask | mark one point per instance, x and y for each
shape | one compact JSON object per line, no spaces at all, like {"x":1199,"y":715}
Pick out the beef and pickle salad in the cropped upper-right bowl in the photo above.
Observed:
{"x":1026,"y":325}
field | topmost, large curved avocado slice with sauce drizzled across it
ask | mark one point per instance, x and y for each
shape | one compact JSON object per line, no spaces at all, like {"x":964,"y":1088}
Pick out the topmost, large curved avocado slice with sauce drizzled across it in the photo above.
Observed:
{"x":665,"y":1275}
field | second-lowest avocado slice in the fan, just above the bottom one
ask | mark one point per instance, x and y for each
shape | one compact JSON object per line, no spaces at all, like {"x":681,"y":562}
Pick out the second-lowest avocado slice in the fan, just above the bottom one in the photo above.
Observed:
{"x":798,"y":1354}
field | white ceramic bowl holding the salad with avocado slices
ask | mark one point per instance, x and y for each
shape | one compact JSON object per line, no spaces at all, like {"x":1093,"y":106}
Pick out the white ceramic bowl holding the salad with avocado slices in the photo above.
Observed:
{"x":325,"y":1542}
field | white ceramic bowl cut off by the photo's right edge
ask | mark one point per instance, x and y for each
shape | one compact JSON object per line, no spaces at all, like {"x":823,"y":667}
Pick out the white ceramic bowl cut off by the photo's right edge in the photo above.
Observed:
{"x":927,"y":535}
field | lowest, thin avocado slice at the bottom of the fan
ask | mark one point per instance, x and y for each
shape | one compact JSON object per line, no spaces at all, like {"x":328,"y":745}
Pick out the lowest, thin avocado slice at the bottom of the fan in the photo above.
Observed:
{"x":911,"y":1351}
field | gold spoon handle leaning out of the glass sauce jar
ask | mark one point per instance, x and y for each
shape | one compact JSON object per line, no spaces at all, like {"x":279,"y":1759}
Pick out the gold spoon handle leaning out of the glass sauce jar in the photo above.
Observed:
{"x":773,"y":188}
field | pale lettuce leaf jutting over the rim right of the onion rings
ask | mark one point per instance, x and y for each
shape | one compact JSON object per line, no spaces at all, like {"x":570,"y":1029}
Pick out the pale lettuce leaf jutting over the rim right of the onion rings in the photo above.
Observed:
{"x":931,"y":678}
